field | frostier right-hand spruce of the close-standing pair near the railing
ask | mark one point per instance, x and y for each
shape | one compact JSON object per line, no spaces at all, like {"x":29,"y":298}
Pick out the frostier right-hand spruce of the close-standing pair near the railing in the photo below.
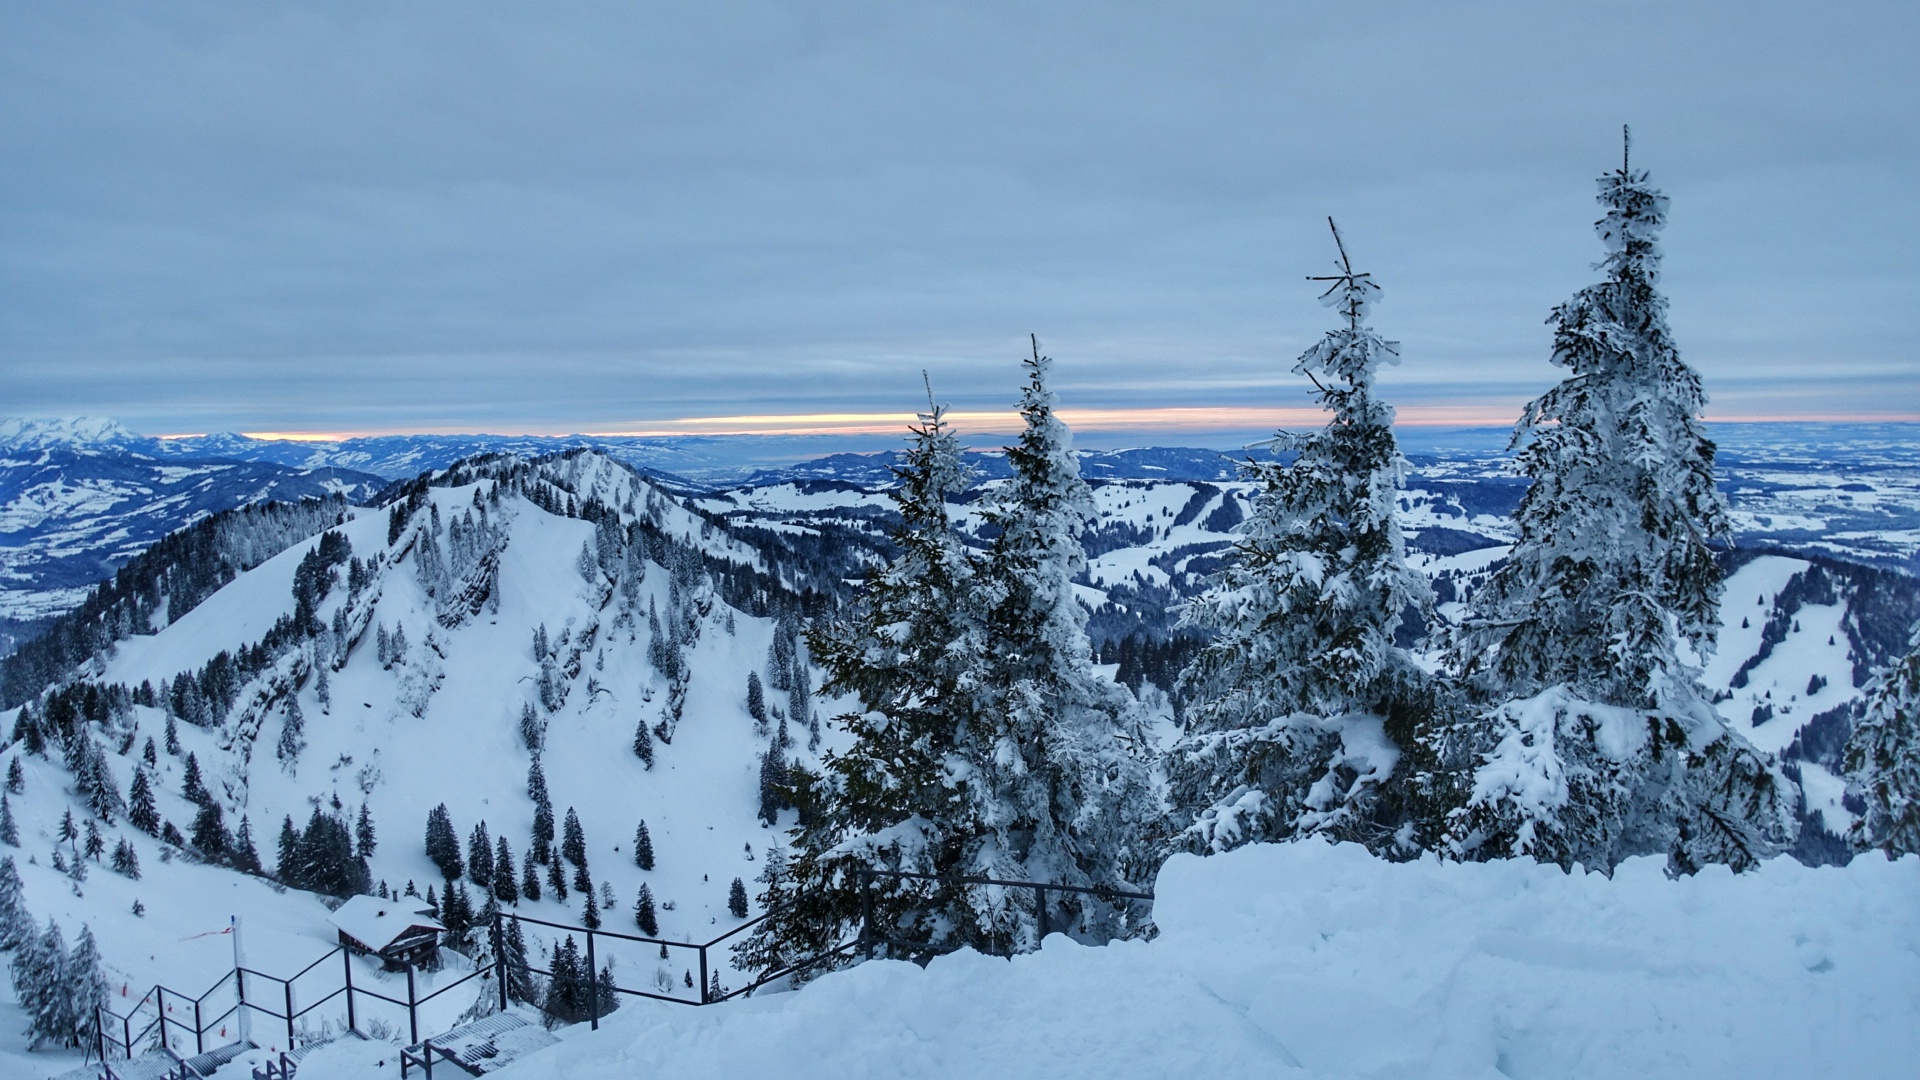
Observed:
{"x":1065,"y":781}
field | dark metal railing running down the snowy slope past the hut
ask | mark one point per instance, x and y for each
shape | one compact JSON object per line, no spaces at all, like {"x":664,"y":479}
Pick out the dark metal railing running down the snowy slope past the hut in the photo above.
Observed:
{"x":166,"y":1018}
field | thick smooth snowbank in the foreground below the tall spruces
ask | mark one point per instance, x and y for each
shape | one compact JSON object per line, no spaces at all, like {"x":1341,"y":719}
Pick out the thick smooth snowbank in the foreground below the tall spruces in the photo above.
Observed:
{"x":1312,"y":960}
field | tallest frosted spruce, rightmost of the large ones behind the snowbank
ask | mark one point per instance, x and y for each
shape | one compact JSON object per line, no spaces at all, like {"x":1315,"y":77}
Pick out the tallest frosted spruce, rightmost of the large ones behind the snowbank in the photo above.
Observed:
{"x":1598,"y":743}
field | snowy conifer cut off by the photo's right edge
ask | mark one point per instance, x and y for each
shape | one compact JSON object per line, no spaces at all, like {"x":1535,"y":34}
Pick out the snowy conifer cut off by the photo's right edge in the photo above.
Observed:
{"x":1884,"y":762}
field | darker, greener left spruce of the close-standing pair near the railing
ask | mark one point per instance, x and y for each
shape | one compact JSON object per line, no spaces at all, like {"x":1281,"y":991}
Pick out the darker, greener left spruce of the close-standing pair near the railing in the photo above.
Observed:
{"x":900,"y":795}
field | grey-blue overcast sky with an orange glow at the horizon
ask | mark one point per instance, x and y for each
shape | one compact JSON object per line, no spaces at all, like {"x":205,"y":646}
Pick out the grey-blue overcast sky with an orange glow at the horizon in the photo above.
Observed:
{"x":698,"y":218}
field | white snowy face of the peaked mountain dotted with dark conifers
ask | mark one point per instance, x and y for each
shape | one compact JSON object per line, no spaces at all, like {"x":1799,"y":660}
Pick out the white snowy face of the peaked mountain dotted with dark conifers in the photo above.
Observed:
{"x":444,"y":725}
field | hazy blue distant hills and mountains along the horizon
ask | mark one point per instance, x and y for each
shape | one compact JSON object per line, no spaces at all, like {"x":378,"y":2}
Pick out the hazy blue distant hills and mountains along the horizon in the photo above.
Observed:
{"x":80,"y":497}
